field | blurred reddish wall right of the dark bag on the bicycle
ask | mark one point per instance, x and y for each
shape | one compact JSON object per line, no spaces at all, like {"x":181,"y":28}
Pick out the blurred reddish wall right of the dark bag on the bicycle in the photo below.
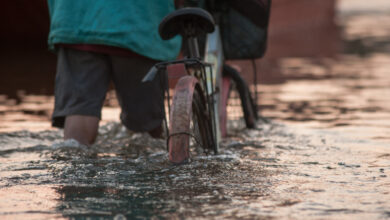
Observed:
{"x":303,"y":28}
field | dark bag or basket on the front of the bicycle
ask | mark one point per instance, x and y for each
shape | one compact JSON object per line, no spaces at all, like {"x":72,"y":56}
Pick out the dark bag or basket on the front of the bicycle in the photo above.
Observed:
{"x":244,"y":25}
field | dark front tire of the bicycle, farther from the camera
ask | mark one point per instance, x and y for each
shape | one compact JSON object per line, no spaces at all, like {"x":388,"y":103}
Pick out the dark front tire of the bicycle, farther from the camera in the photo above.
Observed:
{"x":249,"y":108}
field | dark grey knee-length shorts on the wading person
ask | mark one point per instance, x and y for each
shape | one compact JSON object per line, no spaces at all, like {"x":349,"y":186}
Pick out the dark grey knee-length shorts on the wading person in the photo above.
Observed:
{"x":83,"y":79}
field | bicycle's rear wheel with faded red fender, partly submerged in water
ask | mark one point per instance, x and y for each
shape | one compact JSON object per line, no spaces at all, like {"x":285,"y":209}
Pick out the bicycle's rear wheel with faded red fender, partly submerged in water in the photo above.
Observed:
{"x":189,"y":125}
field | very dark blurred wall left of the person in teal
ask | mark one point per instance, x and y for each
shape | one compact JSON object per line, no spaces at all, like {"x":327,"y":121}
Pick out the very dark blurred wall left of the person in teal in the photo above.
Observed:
{"x":25,"y":63}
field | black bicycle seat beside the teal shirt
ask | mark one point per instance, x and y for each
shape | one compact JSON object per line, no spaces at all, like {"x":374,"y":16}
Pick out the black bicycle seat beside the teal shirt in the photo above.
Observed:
{"x":188,"y":22}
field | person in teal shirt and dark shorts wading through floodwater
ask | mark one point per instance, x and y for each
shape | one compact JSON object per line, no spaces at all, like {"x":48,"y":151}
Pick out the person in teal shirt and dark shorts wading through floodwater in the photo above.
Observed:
{"x":98,"y":41}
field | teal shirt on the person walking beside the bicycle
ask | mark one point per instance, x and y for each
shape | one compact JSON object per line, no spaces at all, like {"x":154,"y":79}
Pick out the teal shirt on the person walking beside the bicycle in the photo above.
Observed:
{"x":130,"y":24}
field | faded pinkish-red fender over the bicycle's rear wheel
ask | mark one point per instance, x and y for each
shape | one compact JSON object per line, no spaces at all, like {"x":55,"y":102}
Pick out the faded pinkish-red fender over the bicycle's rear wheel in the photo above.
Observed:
{"x":179,"y":120}
